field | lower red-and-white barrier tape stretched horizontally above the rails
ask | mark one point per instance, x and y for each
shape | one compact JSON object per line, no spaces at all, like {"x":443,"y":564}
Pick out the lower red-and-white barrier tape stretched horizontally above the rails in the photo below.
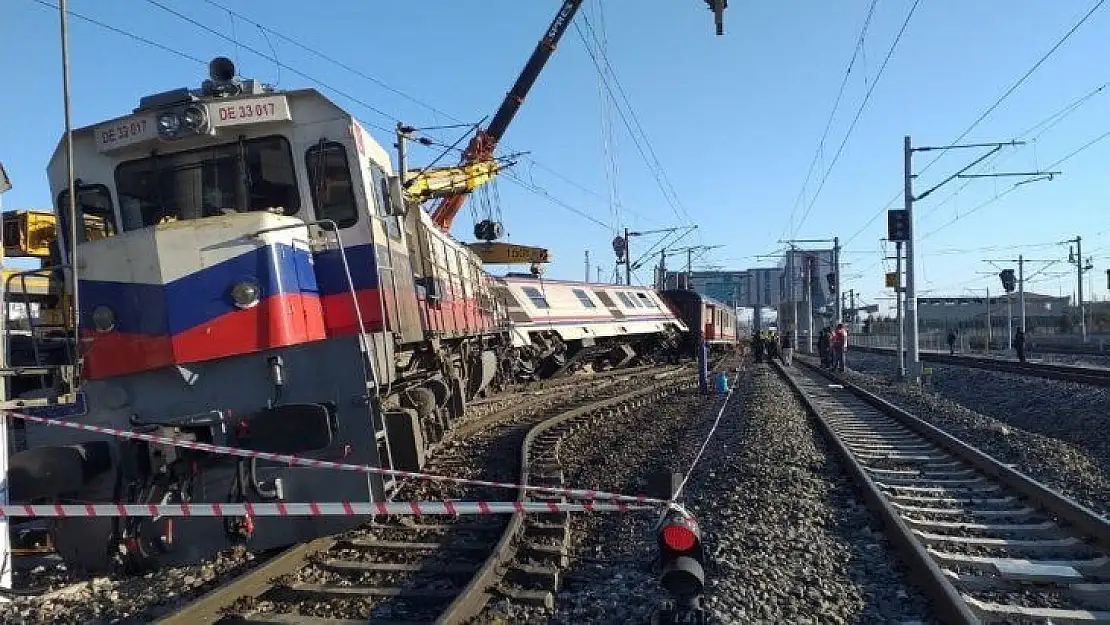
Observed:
{"x":312,"y":509}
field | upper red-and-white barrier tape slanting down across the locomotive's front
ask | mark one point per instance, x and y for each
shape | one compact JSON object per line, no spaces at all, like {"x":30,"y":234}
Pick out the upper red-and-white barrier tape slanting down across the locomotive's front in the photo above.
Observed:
{"x":297,"y":461}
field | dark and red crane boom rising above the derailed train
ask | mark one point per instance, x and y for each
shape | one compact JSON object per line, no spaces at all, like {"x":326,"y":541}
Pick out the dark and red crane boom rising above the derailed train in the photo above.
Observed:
{"x":481,"y":148}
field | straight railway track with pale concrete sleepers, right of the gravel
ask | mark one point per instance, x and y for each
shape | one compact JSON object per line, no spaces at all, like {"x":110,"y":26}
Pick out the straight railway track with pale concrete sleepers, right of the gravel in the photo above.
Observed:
{"x":988,"y":543}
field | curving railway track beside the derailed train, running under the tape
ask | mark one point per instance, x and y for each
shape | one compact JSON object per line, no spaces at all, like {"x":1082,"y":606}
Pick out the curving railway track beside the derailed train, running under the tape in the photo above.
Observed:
{"x":409,"y":570}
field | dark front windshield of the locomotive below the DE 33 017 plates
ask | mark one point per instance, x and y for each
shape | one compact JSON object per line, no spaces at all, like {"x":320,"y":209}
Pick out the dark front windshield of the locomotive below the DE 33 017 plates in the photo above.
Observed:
{"x":251,"y":175}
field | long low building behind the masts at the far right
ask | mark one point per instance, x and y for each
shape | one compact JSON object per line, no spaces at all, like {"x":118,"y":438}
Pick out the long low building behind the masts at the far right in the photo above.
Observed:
{"x":1043,"y":312}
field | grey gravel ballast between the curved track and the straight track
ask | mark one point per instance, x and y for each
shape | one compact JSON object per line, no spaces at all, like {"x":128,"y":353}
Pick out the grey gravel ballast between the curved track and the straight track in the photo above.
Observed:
{"x":791,"y":541}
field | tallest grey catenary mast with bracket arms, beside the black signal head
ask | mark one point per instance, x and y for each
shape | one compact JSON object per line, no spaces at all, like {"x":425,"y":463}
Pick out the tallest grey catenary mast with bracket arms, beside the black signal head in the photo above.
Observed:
{"x":914,"y":364}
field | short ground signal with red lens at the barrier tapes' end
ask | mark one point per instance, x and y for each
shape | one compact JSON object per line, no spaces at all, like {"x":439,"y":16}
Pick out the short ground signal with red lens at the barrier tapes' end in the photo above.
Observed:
{"x":681,"y":569}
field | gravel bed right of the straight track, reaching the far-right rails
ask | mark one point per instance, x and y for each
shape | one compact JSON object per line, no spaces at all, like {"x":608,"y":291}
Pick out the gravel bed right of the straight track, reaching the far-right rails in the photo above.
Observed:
{"x":1053,"y":430}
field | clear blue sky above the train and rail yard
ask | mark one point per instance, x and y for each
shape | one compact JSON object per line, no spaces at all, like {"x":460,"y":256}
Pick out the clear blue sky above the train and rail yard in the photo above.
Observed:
{"x":734,"y":122}
